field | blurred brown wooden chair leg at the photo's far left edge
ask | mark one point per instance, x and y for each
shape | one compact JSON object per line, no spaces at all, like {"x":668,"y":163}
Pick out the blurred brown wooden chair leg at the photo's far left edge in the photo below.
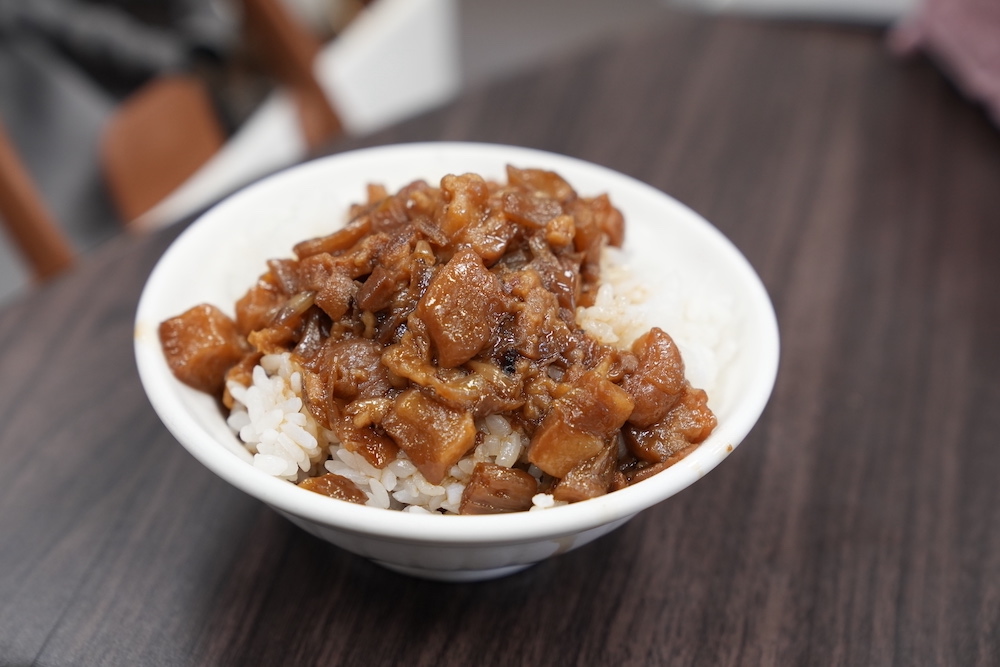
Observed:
{"x":27,"y":218}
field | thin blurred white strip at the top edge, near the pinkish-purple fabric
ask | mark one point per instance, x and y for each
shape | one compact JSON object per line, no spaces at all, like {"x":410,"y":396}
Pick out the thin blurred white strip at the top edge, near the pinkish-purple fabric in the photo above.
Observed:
{"x":876,"y":11}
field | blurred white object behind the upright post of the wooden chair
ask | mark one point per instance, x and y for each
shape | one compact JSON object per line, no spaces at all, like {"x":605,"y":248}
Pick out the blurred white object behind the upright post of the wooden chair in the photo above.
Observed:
{"x":395,"y":60}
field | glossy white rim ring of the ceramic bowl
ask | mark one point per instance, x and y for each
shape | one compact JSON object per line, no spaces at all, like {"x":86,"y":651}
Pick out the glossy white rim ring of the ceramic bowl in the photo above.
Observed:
{"x":454,"y":529}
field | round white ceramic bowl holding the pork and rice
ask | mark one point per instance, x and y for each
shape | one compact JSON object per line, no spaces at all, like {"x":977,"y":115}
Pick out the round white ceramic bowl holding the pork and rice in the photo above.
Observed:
{"x":702,"y":291}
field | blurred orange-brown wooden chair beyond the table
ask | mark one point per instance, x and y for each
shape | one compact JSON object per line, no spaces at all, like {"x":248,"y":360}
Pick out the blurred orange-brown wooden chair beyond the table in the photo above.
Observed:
{"x":161,"y":136}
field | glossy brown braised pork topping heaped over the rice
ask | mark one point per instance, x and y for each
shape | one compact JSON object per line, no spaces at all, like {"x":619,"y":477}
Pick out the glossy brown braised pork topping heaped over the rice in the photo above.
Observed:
{"x":437,"y":307}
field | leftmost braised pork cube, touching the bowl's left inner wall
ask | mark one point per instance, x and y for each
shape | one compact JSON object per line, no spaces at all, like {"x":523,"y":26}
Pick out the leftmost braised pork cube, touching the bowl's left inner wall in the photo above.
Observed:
{"x":201,"y":345}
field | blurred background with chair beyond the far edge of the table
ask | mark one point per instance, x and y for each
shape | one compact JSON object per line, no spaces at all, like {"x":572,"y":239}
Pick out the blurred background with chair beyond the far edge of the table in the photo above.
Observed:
{"x":238,"y":89}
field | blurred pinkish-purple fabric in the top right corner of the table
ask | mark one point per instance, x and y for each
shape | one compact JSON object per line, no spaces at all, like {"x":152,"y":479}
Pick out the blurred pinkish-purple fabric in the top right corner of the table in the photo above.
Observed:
{"x":963,"y":38}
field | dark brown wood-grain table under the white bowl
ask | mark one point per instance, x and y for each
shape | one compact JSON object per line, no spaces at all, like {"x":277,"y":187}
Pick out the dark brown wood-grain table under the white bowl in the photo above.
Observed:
{"x":858,"y":524}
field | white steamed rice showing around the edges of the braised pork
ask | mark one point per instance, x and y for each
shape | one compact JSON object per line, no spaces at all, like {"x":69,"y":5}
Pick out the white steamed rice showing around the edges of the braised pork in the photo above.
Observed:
{"x":275,"y":426}
